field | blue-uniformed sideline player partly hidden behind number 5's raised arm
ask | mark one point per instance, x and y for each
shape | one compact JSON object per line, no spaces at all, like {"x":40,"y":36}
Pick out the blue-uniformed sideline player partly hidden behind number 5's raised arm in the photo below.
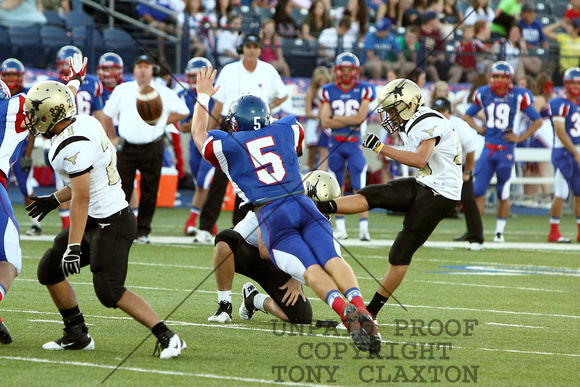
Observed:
{"x":201,"y":170}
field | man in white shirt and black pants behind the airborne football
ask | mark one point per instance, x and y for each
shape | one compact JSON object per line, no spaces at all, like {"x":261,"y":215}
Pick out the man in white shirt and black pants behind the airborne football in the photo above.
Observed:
{"x":140,"y":145}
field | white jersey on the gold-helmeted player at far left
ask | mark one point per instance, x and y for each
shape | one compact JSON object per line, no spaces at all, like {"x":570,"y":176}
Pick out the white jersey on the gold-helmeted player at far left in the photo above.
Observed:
{"x":84,"y":147}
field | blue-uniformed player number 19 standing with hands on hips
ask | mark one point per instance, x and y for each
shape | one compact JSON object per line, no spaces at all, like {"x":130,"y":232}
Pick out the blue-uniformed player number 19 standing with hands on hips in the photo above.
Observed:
{"x":503,"y":105}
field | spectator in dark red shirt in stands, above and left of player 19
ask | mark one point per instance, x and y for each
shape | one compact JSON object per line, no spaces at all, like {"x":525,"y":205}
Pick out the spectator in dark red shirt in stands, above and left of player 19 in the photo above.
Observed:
{"x":466,"y":58}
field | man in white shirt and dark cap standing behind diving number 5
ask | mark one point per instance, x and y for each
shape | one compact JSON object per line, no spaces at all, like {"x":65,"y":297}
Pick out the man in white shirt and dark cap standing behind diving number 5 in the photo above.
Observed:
{"x":248,"y":75}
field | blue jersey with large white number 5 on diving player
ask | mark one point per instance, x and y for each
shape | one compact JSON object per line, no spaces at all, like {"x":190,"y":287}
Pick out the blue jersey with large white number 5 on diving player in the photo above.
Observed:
{"x":261,"y":164}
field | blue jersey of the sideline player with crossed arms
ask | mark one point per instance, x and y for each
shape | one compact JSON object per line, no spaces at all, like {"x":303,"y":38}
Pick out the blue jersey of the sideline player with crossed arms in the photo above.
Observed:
{"x":346,"y":103}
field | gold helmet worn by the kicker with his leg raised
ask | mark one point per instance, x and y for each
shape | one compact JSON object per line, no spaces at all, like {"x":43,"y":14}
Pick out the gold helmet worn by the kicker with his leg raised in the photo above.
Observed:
{"x":398,"y":101}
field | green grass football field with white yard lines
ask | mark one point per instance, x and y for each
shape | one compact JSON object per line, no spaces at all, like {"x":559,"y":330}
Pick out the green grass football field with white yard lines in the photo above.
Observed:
{"x":497,"y":317}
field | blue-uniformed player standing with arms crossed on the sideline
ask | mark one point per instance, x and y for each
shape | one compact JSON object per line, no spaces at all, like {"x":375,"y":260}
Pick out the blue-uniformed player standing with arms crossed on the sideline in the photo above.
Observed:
{"x":344,"y":108}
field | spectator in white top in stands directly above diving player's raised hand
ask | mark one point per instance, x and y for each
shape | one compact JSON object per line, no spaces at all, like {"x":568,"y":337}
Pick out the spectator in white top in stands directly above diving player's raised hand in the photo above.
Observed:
{"x":201,"y":37}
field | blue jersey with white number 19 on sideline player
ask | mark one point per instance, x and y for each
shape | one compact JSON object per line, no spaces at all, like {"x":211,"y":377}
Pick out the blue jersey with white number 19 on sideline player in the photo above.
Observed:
{"x":502,"y":113}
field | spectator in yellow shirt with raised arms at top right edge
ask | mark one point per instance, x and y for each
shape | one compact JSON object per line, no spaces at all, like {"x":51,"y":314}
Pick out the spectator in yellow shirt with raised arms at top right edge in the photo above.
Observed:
{"x":569,"y":42}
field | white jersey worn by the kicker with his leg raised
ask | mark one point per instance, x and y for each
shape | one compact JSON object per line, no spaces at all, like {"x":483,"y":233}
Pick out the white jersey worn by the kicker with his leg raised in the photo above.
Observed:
{"x":443,"y":169}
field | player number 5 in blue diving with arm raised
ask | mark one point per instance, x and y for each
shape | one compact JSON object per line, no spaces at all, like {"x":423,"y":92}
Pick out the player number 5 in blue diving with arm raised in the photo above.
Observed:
{"x":260,"y":158}
